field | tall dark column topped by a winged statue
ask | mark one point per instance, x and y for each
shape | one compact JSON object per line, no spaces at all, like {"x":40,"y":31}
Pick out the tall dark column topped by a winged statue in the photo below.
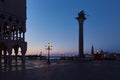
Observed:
{"x":81,"y":18}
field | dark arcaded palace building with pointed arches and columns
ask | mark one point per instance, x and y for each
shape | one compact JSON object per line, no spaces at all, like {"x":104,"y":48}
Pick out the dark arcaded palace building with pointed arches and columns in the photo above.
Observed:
{"x":12,"y":29}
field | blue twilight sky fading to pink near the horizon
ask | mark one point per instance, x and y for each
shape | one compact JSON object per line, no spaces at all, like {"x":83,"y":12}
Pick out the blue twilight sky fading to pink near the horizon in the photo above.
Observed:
{"x":53,"y":21}
